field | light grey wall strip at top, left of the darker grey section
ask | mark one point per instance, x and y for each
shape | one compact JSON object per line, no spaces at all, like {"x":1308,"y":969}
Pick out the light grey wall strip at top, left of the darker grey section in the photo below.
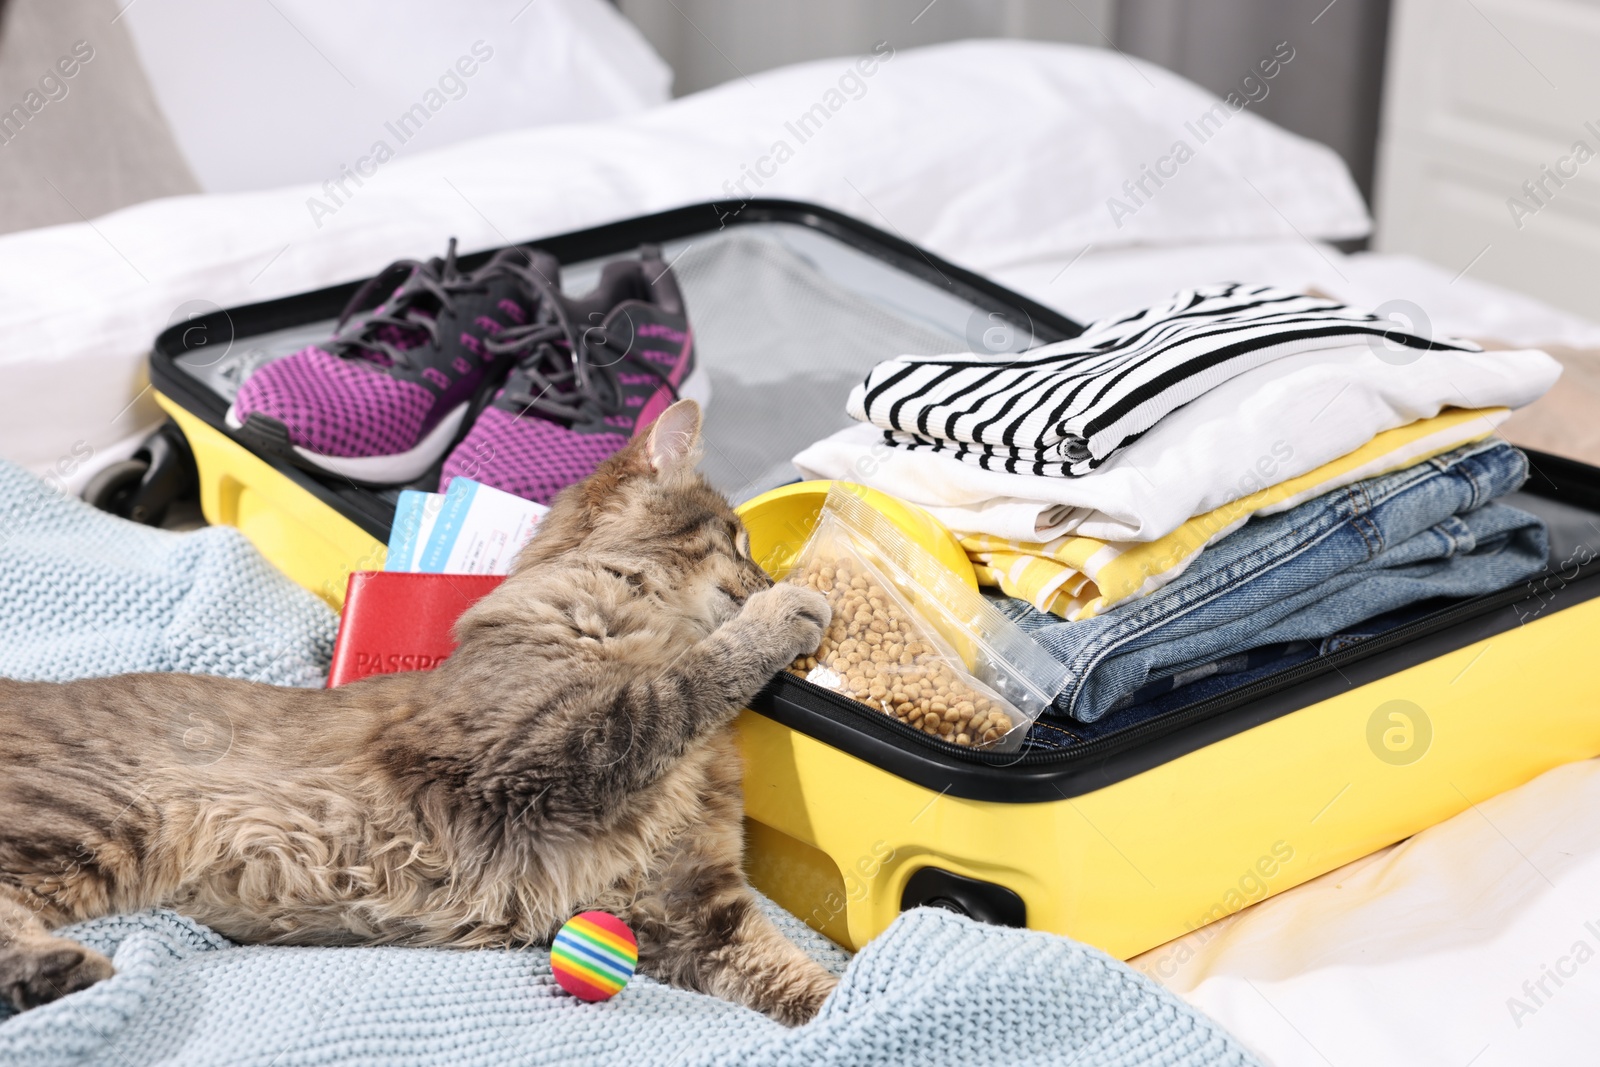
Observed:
{"x":713,"y":41}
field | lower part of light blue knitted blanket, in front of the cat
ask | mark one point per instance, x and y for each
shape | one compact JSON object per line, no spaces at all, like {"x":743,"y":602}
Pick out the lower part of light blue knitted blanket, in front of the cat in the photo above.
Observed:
{"x":934,"y":989}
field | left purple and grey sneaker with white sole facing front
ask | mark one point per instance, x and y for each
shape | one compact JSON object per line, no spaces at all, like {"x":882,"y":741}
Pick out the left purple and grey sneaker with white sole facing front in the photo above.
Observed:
{"x":386,"y":396}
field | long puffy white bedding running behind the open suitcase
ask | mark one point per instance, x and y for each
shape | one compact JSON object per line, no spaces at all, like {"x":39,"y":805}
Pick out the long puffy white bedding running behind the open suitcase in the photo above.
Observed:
{"x":988,"y":153}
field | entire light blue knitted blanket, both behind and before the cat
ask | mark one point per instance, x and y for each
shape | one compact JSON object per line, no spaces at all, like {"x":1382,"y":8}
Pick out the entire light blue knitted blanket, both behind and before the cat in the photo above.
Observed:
{"x":84,"y":594}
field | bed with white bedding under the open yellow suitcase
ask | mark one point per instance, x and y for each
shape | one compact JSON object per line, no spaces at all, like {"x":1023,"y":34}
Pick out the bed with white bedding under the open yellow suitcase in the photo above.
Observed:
{"x":1002,"y":158}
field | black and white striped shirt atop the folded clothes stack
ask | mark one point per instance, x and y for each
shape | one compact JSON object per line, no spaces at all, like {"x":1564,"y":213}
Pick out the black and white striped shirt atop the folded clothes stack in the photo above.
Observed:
{"x":1066,"y":409}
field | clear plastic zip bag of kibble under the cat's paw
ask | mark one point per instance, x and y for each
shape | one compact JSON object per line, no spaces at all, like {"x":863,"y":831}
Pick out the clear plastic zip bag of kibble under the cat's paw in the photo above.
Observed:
{"x":913,"y":641}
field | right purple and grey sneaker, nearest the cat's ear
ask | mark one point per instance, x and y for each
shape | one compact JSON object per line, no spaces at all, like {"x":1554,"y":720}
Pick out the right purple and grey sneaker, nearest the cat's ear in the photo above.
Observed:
{"x":591,"y":375}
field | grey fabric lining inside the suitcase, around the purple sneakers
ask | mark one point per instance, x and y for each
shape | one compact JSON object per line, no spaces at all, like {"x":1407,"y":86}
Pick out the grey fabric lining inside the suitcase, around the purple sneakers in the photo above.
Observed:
{"x":786,"y":322}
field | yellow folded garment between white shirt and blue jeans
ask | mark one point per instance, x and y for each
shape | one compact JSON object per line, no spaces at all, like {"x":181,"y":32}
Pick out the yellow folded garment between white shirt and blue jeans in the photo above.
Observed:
{"x":1079,"y":578}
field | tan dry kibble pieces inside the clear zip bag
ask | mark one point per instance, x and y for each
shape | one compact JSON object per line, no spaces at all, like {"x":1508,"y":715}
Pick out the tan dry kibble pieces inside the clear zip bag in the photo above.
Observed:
{"x":882,"y":660}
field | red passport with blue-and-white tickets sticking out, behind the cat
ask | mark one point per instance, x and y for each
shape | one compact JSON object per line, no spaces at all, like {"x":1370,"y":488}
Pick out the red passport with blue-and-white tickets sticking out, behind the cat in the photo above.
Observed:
{"x":401,"y":621}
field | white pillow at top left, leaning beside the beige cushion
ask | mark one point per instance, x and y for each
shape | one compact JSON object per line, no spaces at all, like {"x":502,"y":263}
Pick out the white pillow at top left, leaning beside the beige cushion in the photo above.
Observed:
{"x":263,"y":95}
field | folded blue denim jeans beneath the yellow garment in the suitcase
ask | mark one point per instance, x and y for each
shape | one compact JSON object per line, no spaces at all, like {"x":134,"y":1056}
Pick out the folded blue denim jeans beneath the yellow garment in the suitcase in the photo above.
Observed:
{"x":1308,"y":573}
